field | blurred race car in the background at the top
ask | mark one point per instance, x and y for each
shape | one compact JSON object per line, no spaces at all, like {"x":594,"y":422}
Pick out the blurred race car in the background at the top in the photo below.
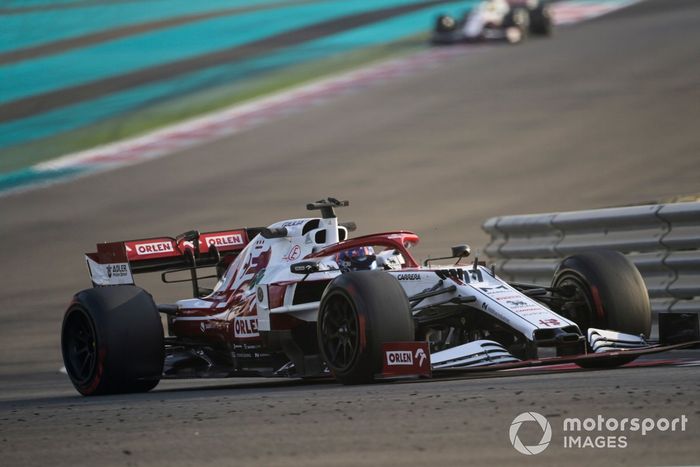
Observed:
{"x":495,"y":20}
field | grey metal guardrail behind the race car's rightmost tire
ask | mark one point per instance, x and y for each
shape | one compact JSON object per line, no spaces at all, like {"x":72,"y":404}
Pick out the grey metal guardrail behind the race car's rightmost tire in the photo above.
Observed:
{"x":662,"y":240}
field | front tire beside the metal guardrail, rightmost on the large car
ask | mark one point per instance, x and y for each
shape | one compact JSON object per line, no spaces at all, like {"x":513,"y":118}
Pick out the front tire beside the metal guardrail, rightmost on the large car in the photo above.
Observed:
{"x":608,"y":293}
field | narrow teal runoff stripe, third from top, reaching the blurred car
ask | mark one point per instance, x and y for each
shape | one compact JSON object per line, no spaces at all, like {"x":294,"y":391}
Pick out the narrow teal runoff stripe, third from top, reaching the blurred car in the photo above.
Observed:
{"x":79,"y":115}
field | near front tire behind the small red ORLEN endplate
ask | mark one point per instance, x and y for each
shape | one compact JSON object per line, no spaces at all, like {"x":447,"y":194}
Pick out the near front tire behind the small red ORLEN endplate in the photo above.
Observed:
{"x":359,"y":312}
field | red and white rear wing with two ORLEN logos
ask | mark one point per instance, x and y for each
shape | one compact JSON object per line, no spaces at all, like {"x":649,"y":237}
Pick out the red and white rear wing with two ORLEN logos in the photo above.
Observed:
{"x":115,"y":263}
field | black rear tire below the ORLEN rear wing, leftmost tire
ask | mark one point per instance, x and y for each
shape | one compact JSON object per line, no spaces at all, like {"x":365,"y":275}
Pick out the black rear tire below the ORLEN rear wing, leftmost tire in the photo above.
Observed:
{"x":112,"y":341}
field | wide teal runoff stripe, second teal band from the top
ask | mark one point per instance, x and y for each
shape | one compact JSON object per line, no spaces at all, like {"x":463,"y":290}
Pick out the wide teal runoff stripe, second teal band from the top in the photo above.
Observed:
{"x":77,"y":67}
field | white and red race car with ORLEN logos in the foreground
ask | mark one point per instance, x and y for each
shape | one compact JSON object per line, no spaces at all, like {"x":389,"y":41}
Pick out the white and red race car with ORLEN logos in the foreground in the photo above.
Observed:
{"x":301,"y":299}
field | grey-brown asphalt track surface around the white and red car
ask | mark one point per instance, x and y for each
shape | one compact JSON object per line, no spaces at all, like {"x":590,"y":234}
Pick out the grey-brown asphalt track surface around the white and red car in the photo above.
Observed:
{"x":603,"y":114}
